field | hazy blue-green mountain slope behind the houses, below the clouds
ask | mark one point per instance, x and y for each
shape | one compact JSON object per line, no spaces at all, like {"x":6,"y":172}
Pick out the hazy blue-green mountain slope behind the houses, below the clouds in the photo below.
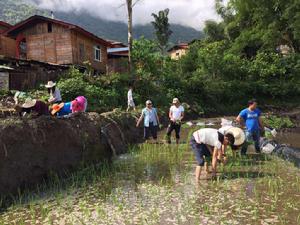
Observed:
{"x":13,"y":11}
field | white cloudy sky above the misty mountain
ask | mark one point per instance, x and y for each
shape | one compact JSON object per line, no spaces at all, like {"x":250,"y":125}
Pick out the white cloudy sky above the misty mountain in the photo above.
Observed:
{"x":187,"y":12}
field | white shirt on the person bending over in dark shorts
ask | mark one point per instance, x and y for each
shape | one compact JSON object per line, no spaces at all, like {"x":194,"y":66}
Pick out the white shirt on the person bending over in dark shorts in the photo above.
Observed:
{"x":208,"y":136}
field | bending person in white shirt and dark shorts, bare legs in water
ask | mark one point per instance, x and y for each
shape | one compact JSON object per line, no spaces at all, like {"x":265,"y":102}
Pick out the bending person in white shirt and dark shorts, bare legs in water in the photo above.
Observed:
{"x":209,"y":142}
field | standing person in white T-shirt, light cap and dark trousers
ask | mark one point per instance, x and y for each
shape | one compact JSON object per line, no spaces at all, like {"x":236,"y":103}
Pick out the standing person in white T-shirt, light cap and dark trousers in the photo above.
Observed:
{"x":176,"y":114}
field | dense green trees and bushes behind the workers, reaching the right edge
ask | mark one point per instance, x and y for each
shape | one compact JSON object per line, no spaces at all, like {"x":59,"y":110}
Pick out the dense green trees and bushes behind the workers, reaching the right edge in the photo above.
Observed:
{"x":238,"y":60}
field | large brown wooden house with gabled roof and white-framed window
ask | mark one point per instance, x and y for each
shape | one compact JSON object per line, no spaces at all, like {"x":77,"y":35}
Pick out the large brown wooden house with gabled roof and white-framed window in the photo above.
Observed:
{"x":53,"y":41}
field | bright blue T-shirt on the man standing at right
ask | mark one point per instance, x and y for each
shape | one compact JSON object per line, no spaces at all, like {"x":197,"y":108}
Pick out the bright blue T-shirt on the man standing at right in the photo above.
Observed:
{"x":251,"y":119}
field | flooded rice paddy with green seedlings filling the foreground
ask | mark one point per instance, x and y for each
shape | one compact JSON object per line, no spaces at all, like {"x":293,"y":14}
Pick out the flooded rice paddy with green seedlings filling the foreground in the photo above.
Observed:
{"x":154,"y":184}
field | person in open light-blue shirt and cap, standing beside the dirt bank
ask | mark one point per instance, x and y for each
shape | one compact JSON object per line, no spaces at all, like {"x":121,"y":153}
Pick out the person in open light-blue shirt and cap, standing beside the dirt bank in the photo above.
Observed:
{"x":151,"y":121}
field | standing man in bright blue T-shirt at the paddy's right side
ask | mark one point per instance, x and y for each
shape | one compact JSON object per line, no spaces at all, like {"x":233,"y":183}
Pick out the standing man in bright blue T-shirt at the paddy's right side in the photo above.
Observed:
{"x":251,"y":118}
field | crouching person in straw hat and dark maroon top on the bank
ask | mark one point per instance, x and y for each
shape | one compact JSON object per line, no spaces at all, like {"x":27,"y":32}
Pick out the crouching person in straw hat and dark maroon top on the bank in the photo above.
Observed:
{"x":34,"y":106}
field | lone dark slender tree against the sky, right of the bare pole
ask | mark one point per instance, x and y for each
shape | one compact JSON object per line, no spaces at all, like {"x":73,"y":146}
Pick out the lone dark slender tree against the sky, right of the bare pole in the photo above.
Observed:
{"x":162,"y":28}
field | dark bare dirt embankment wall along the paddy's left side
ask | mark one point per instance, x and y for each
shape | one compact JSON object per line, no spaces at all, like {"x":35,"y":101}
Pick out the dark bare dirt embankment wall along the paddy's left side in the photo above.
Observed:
{"x":32,"y":148}
